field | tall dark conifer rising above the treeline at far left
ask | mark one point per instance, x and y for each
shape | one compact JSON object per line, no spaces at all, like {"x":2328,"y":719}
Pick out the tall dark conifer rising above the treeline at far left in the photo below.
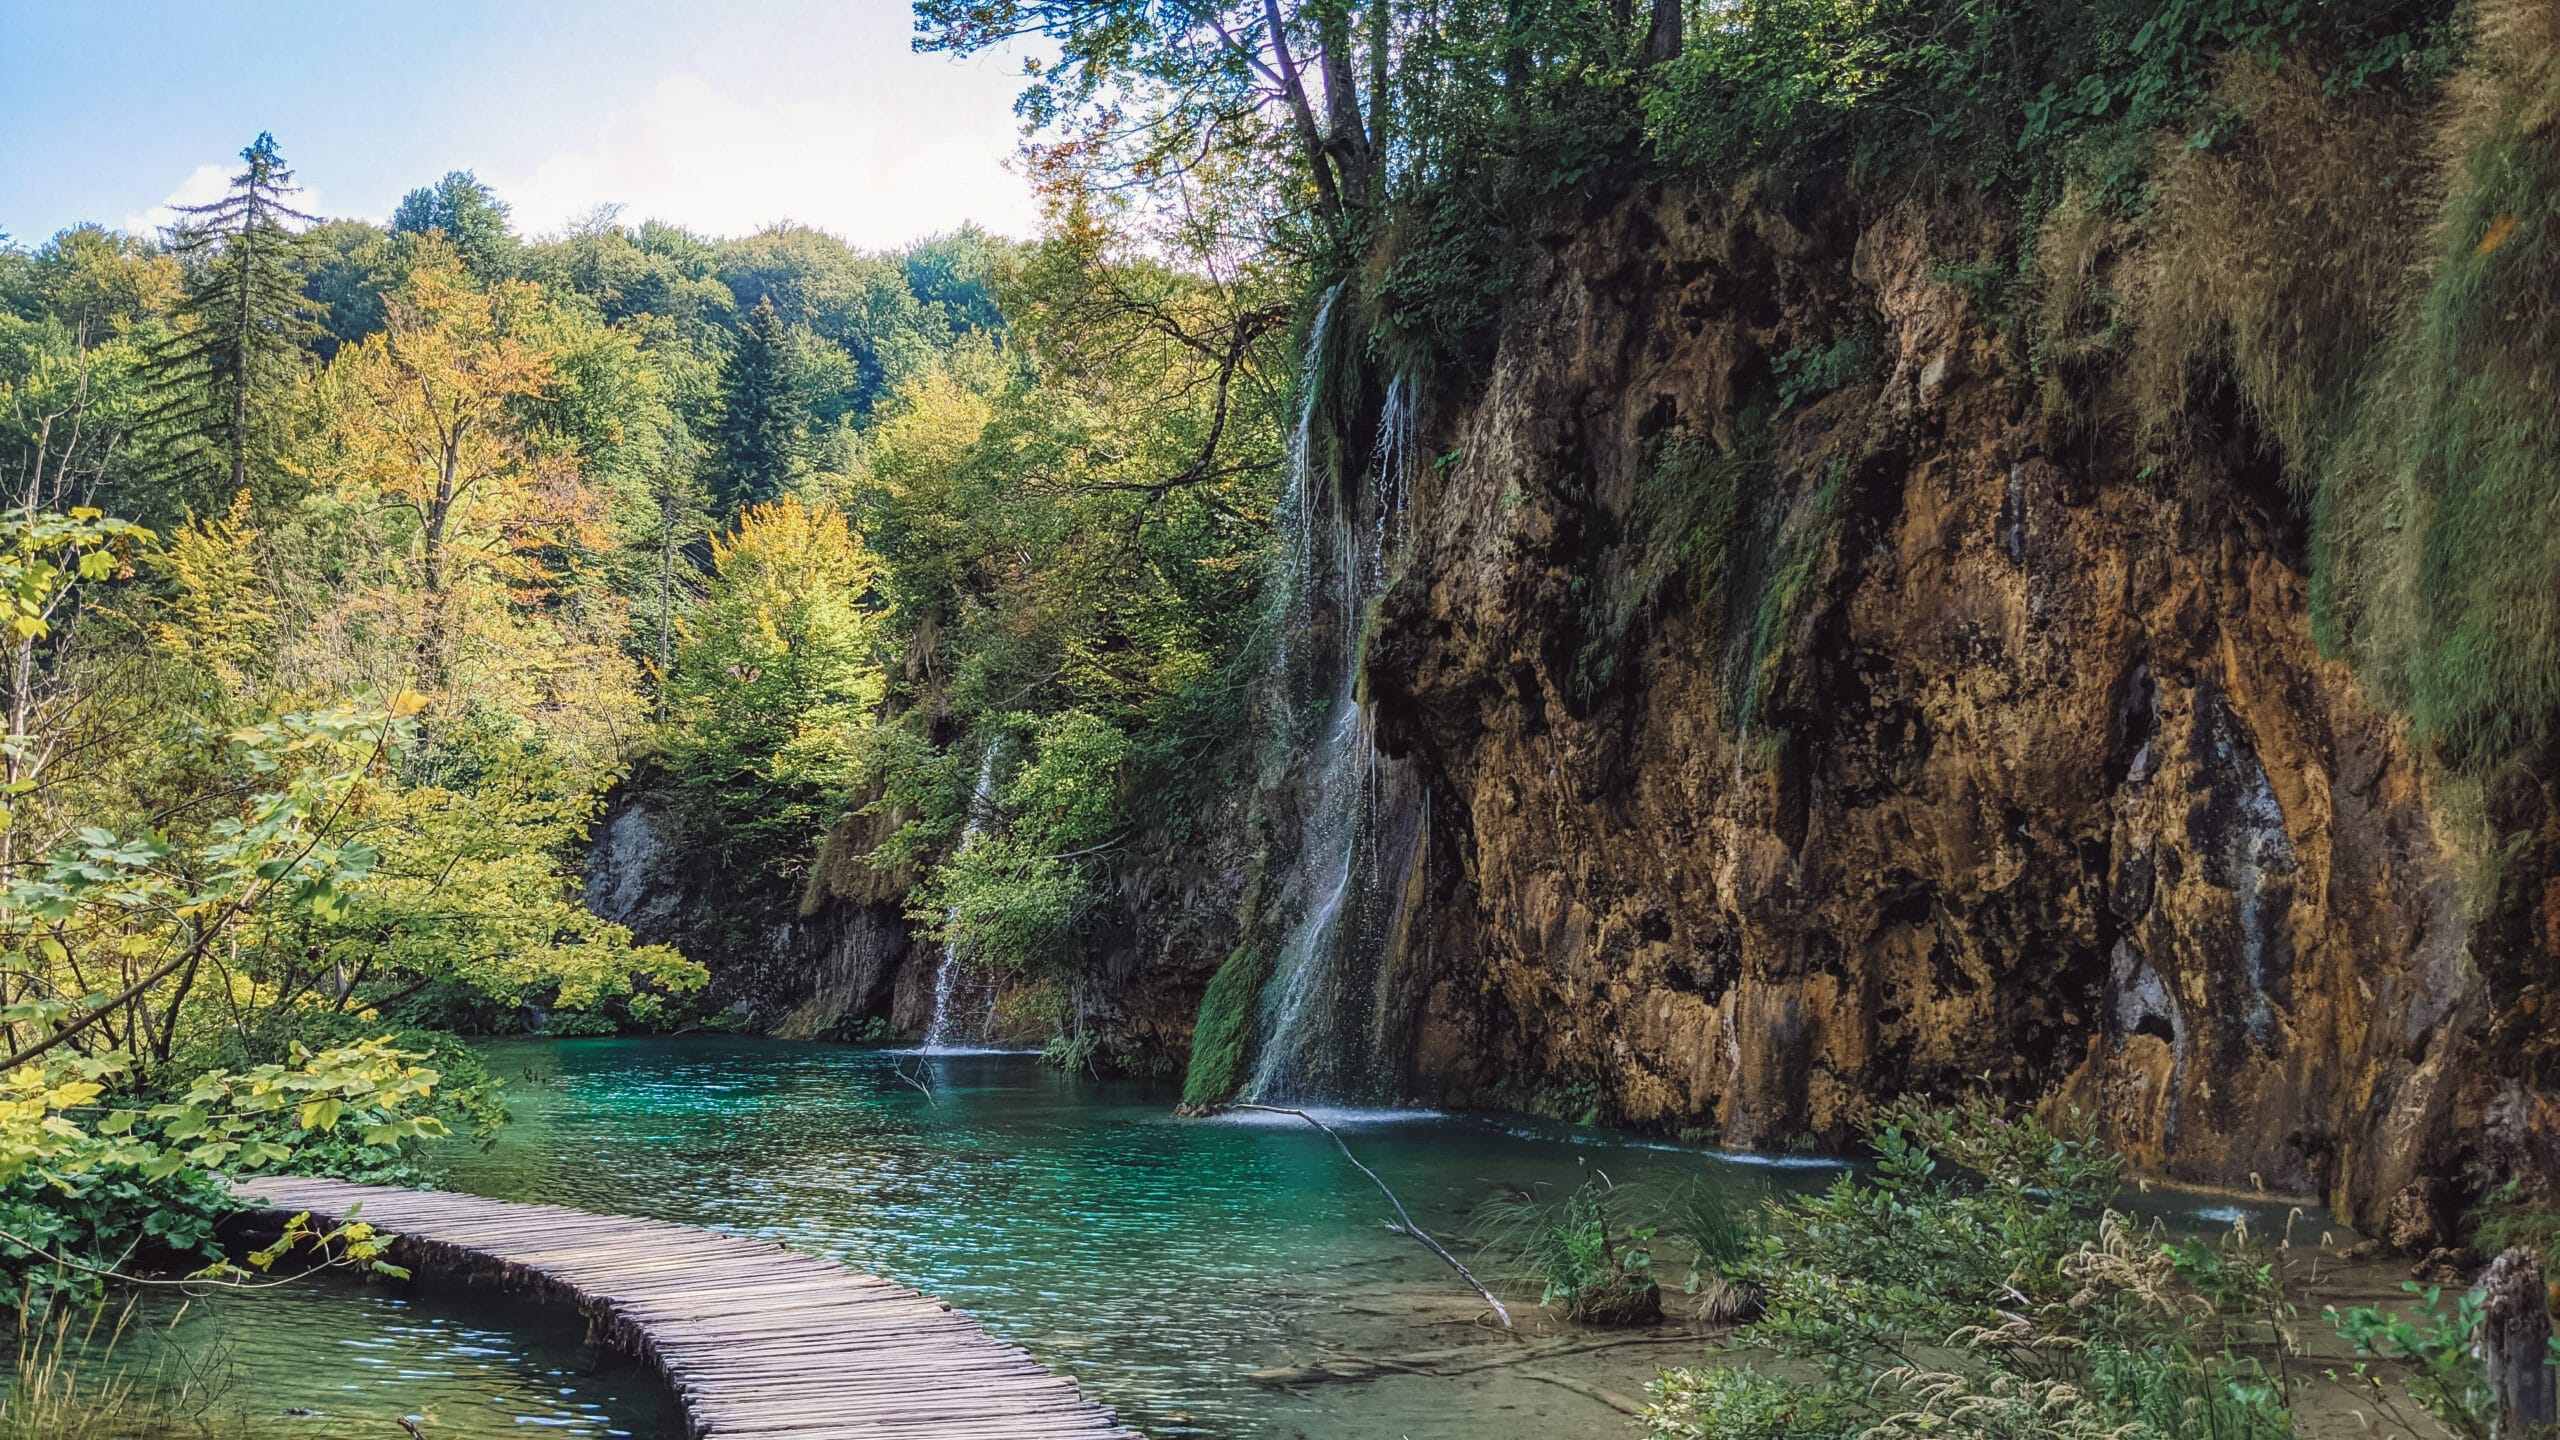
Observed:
{"x":239,"y":337}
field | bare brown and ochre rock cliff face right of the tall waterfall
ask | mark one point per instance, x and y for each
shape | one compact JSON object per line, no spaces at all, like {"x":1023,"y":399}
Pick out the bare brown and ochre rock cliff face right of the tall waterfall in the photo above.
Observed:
{"x":1811,"y":719}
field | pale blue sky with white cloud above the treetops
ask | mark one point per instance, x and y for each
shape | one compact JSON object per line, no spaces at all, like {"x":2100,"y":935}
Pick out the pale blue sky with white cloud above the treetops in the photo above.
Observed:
{"x":716,"y":117}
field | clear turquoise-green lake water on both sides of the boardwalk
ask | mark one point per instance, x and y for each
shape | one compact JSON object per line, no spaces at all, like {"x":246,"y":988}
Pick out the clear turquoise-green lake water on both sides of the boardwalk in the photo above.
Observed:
{"x":1158,"y":1262}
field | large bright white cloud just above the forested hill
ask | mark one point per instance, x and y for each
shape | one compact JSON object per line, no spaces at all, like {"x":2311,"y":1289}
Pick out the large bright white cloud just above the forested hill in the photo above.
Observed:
{"x":877,"y":168}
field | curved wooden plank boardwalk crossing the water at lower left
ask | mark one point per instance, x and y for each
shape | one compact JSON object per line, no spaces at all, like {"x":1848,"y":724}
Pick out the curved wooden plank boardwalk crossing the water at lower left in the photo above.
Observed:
{"x":754,"y":1339}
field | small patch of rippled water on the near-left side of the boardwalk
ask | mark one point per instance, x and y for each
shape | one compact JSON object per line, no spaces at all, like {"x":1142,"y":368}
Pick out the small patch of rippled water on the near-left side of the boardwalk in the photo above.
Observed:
{"x":334,"y":1359}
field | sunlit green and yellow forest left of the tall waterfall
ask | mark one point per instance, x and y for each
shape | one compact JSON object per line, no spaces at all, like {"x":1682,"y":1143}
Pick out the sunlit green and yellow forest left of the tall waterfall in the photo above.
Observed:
{"x":357,"y":565}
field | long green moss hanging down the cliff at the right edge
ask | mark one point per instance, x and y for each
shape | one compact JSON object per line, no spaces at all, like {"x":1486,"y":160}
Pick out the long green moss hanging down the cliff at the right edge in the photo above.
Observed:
{"x":2436,"y":539}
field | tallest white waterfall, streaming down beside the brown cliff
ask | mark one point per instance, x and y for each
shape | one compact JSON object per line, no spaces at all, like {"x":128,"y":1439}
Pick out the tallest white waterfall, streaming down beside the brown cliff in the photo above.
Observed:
{"x":1330,"y":1029}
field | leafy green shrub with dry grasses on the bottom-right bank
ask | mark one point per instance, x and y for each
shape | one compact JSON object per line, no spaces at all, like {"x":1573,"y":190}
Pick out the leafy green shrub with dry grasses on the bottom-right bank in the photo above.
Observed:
{"x":1978,"y":1285}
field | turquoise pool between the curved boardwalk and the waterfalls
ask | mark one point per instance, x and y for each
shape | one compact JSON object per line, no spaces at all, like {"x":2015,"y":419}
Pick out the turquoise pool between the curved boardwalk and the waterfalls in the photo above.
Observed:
{"x":1148,"y":1257}
